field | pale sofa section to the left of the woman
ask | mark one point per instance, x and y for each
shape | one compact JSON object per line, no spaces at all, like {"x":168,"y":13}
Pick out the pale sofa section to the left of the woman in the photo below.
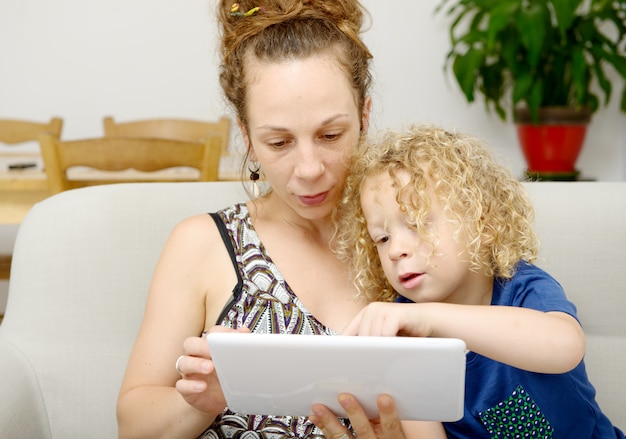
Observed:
{"x":82,"y":264}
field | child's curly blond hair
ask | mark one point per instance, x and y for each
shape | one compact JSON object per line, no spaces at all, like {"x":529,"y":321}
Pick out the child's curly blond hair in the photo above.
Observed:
{"x":486,"y":203}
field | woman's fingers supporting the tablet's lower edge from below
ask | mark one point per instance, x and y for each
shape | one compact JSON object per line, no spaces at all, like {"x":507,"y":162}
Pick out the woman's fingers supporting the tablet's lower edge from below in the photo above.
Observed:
{"x":388,"y":426}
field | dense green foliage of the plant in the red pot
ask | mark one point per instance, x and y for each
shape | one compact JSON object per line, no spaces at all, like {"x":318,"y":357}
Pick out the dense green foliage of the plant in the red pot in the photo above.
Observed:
{"x":537,"y":52}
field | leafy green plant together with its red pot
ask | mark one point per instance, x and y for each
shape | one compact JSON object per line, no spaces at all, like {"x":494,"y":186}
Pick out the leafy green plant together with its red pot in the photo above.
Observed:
{"x":543,"y":61}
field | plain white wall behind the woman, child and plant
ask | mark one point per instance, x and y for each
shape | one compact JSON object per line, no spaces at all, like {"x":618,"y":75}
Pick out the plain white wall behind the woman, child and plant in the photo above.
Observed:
{"x":84,"y":59}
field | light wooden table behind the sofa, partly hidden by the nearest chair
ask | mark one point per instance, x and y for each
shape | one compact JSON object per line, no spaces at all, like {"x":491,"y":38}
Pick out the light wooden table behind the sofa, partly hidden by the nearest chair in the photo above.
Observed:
{"x":20,"y":189}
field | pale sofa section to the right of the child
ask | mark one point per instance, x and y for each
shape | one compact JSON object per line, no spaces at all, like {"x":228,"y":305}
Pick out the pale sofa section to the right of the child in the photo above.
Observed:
{"x":582,"y":228}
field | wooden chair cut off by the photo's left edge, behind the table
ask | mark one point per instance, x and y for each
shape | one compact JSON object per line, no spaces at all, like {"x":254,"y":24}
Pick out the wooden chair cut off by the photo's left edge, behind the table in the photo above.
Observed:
{"x":14,"y":131}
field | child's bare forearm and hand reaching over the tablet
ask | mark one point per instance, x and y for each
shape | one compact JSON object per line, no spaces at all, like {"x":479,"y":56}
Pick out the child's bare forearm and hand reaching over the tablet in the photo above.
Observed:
{"x":536,"y":341}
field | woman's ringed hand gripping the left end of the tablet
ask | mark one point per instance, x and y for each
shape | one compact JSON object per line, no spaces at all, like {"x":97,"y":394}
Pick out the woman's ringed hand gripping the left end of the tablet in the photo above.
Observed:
{"x":199,"y":385}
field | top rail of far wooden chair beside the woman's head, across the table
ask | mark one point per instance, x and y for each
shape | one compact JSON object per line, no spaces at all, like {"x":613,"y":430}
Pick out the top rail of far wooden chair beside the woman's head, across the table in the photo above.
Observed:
{"x":175,"y":129}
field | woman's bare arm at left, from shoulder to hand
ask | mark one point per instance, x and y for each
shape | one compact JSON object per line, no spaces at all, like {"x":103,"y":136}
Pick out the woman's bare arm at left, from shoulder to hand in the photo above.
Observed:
{"x":192,"y":281}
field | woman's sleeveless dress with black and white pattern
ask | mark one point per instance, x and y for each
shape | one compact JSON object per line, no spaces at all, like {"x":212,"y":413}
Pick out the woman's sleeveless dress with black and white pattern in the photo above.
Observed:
{"x":263,"y":302}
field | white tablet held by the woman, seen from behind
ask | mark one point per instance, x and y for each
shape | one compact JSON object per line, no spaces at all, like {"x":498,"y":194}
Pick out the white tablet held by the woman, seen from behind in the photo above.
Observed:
{"x":272,"y":374}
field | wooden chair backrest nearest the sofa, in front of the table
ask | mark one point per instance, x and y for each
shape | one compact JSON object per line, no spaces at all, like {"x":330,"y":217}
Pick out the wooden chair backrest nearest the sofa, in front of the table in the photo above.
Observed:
{"x":146,"y":155}
